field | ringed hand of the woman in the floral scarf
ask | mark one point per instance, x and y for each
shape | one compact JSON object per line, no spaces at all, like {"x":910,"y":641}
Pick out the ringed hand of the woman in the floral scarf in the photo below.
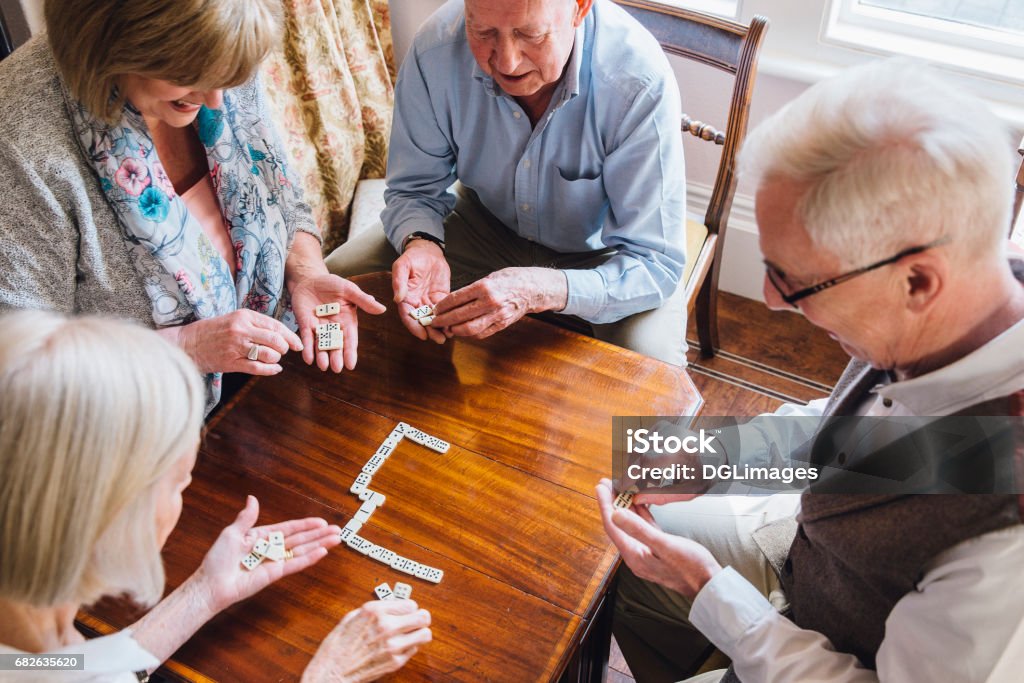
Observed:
{"x":223,"y":345}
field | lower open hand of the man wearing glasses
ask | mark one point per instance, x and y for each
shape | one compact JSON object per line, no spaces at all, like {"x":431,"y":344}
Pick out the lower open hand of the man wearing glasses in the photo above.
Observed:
{"x":677,"y":564}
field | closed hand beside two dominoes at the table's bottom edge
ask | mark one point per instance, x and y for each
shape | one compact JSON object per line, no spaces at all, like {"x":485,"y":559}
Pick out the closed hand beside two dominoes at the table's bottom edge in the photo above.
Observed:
{"x":371,"y":642}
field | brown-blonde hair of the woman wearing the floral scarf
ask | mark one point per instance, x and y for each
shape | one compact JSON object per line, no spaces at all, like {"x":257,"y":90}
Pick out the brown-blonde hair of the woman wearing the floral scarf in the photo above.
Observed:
{"x":203,"y":45}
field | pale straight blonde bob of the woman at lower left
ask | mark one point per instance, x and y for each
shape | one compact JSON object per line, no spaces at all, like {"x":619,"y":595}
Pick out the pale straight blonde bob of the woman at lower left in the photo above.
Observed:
{"x":94,"y":412}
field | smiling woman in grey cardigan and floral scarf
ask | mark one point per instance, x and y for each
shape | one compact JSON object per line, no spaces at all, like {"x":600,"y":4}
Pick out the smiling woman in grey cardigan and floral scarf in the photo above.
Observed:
{"x":144,"y":179}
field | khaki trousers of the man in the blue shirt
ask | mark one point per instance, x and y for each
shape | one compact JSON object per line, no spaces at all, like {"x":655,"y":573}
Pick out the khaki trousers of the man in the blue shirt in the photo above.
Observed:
{"x":478,"y":244}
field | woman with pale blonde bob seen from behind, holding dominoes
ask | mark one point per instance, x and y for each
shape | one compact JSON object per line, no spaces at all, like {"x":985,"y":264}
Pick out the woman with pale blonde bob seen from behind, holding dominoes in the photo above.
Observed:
{"x":100,"y":426}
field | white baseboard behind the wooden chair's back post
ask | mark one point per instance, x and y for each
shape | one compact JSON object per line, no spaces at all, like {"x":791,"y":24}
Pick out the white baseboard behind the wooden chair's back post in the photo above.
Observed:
{"x":743,"y":270}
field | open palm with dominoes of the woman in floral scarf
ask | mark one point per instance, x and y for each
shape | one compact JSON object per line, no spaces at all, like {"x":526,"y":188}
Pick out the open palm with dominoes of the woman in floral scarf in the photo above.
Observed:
{"x":313,"y":291}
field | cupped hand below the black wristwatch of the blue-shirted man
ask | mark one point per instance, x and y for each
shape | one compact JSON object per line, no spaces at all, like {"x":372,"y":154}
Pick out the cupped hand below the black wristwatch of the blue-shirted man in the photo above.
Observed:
{"x":420,"y":277}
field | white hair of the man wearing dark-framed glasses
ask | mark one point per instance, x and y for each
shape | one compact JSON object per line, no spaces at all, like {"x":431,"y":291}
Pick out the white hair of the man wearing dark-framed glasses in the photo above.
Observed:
{"x":892,"y":157}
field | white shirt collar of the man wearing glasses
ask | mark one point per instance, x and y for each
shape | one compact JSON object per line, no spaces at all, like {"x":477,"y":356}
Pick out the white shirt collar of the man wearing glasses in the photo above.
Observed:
{"x":993,"y":371}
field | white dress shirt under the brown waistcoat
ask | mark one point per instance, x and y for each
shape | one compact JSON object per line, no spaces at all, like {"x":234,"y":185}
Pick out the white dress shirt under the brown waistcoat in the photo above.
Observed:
{"x":960,"y":622}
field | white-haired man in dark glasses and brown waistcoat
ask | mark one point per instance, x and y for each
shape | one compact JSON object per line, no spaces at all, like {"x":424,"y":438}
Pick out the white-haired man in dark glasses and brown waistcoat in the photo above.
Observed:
{"x":875,"y":167}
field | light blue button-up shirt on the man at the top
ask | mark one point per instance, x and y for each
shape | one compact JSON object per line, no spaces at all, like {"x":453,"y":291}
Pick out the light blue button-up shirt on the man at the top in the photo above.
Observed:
{"x":603,"y":168}
